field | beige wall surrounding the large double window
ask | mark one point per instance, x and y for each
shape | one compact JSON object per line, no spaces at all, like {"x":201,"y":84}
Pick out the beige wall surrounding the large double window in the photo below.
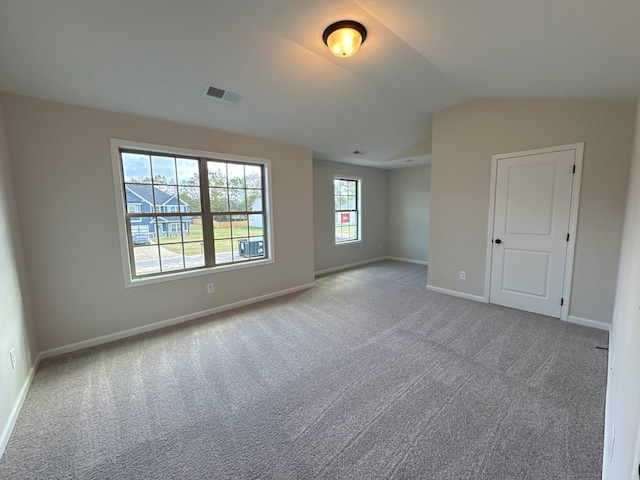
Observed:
{"x":65,"y":197}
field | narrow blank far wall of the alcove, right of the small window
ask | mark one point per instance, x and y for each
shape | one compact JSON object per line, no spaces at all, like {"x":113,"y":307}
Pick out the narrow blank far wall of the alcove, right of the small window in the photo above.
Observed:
{"x":408,"y":223}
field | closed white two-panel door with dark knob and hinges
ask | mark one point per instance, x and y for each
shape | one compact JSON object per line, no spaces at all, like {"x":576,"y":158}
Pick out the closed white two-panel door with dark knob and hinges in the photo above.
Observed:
{"x":533,"y":194}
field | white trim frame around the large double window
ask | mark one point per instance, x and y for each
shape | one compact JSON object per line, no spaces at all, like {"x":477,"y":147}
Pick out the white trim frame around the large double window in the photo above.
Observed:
{"x":118,"y":181}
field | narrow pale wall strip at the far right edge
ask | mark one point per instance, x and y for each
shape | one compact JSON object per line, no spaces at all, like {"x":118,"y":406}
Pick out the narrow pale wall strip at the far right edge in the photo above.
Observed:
{"x":623,"y":386}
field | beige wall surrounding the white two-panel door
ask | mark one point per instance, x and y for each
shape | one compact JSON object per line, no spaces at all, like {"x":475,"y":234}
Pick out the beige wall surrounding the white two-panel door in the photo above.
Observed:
{"x":464,"y":139}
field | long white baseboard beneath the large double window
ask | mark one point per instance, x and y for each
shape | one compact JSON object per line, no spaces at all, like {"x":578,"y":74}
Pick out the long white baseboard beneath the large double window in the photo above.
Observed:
{"x":166,"y":323}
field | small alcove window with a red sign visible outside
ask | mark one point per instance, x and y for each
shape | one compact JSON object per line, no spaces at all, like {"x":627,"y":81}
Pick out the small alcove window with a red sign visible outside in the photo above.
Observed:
{"x":346,"y":193}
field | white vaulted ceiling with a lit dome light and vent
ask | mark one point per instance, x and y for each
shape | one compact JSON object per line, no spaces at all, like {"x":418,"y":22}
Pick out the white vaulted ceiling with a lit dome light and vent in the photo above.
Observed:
{"x":155,"y":58}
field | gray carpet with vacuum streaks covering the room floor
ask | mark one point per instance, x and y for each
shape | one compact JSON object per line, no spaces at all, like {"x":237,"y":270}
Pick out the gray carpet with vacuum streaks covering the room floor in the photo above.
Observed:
{"x":367,"y":375}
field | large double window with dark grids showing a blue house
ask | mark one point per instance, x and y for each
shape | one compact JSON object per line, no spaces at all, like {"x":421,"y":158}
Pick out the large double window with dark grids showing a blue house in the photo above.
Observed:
{"x":187,"y":213}
